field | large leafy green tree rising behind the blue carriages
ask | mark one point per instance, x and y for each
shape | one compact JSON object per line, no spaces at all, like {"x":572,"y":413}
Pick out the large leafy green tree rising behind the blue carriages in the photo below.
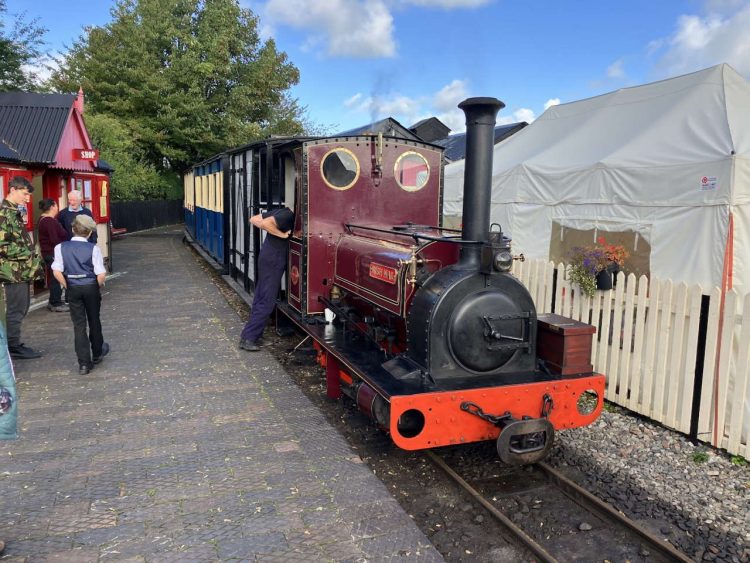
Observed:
{"x":187,"y":78}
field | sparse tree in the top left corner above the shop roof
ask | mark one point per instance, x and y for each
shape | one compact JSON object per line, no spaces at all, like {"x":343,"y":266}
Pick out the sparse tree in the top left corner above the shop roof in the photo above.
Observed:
{"x":19,"y":50}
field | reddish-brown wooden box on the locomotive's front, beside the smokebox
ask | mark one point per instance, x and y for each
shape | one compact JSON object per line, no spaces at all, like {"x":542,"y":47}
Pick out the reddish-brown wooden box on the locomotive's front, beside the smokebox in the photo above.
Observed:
{"x":564,"y":344}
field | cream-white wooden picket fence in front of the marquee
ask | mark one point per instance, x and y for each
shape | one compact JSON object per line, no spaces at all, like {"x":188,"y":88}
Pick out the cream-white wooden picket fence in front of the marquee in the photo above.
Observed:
{"x":647,"y":346}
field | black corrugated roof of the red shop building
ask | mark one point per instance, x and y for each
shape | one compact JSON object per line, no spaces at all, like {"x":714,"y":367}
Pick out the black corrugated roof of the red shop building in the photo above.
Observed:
{"x":33,"y":123}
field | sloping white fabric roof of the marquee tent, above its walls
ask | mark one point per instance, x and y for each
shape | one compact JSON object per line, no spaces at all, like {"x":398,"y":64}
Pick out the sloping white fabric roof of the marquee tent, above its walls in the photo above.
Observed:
{"x":649,"y":144}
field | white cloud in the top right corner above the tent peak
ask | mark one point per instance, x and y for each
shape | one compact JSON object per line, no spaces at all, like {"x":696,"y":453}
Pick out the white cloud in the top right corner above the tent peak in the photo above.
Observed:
{"x":702,"y":41}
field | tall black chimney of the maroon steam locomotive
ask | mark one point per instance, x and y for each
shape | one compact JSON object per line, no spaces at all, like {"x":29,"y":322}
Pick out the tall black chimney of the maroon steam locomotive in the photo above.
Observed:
{"x":480,"y":136}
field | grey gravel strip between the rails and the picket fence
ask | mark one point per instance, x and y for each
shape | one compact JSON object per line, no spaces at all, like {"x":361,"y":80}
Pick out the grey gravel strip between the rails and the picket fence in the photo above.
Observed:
{"x":655,"y":476}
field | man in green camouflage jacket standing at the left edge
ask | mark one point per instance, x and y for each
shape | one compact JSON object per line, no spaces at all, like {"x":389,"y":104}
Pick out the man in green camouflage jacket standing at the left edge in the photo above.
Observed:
{"x":20,"y":264}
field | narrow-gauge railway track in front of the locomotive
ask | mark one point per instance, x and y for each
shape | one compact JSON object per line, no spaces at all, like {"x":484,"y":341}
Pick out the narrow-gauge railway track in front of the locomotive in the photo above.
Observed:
{"x":557,"y":520}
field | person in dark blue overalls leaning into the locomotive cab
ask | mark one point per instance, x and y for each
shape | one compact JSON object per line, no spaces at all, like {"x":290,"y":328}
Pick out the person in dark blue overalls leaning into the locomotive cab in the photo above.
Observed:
{"x":271,"y":265}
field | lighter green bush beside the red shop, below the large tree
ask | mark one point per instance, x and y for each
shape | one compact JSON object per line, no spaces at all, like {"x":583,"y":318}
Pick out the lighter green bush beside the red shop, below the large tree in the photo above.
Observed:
{"x":133,"y":178}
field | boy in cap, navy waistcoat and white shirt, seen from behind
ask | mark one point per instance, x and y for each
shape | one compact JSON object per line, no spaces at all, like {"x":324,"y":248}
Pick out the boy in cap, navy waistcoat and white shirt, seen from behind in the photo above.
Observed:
{"x":79,"y":267}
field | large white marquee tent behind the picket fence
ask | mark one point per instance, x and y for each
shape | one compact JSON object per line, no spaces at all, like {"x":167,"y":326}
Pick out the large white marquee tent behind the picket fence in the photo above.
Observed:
{"x":669,"y":161}
